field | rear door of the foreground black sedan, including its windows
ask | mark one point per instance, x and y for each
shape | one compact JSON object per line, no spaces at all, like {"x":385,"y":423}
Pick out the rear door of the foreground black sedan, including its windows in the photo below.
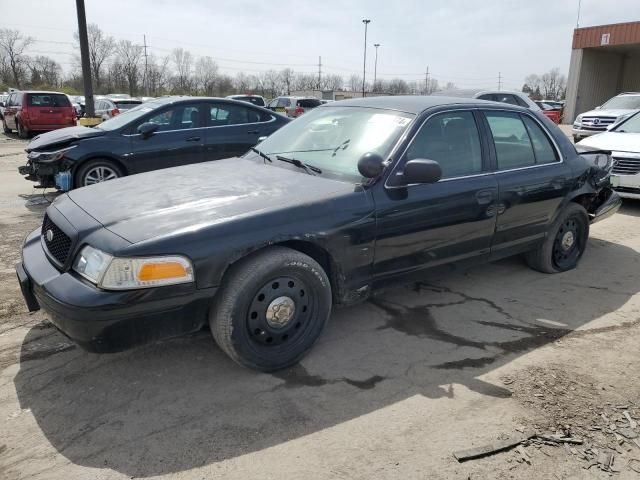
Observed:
{"x":532,"y":179}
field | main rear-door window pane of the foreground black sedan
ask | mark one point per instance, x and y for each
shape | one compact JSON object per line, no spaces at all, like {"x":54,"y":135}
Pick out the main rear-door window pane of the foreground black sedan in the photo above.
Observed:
{"x":513,"y":146}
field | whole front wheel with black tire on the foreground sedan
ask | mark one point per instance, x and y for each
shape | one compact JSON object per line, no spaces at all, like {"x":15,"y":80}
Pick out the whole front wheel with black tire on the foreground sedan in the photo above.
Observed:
{"x":239,"y":315}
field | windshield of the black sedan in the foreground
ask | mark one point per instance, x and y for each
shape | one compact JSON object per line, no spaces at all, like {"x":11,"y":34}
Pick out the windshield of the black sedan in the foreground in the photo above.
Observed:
{"x":333,"y":139}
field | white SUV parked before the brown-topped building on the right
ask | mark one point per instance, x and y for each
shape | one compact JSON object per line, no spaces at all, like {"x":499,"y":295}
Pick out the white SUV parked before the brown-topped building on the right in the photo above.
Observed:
{"x":597,"y":120}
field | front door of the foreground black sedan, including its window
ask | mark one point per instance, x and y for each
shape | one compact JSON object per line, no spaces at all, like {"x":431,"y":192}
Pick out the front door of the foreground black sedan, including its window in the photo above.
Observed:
{"x":420,"y":226}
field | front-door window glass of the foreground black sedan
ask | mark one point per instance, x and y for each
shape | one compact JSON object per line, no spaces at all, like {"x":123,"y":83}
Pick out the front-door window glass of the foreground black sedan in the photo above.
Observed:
{"x":453,"y":141}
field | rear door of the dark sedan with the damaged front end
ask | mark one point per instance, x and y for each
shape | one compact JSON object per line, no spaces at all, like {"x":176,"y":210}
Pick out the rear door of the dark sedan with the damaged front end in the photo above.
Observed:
{"x":233,"y":129}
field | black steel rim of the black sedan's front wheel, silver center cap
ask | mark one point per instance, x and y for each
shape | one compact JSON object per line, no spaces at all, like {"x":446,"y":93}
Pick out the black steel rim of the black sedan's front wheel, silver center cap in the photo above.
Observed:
{"x":279,"y":311}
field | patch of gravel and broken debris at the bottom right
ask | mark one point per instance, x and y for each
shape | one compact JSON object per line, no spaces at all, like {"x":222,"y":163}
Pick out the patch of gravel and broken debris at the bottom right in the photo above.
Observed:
{"x":587,"y":420}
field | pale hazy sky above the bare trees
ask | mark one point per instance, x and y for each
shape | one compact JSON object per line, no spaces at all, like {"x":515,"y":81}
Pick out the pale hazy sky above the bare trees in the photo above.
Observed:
{"x":469,"y":43}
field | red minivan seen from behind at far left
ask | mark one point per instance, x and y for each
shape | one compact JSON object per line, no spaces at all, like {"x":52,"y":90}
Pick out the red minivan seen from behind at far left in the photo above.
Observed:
{"x":35,"y":111}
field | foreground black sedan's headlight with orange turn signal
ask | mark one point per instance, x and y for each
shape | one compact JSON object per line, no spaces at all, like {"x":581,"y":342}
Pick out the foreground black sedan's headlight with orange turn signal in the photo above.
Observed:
{"x":115,"y":273}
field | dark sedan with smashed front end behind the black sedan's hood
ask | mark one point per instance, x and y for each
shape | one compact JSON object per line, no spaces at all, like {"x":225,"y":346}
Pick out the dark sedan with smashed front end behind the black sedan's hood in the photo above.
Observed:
{"x":161,"y":133}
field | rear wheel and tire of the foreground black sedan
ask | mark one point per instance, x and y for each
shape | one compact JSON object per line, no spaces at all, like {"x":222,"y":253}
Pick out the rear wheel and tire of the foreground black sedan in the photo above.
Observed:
{"x":565,"y":243}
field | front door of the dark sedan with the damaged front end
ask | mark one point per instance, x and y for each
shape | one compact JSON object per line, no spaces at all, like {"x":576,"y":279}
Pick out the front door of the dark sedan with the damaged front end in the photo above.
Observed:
{"x":179,"y":139}
